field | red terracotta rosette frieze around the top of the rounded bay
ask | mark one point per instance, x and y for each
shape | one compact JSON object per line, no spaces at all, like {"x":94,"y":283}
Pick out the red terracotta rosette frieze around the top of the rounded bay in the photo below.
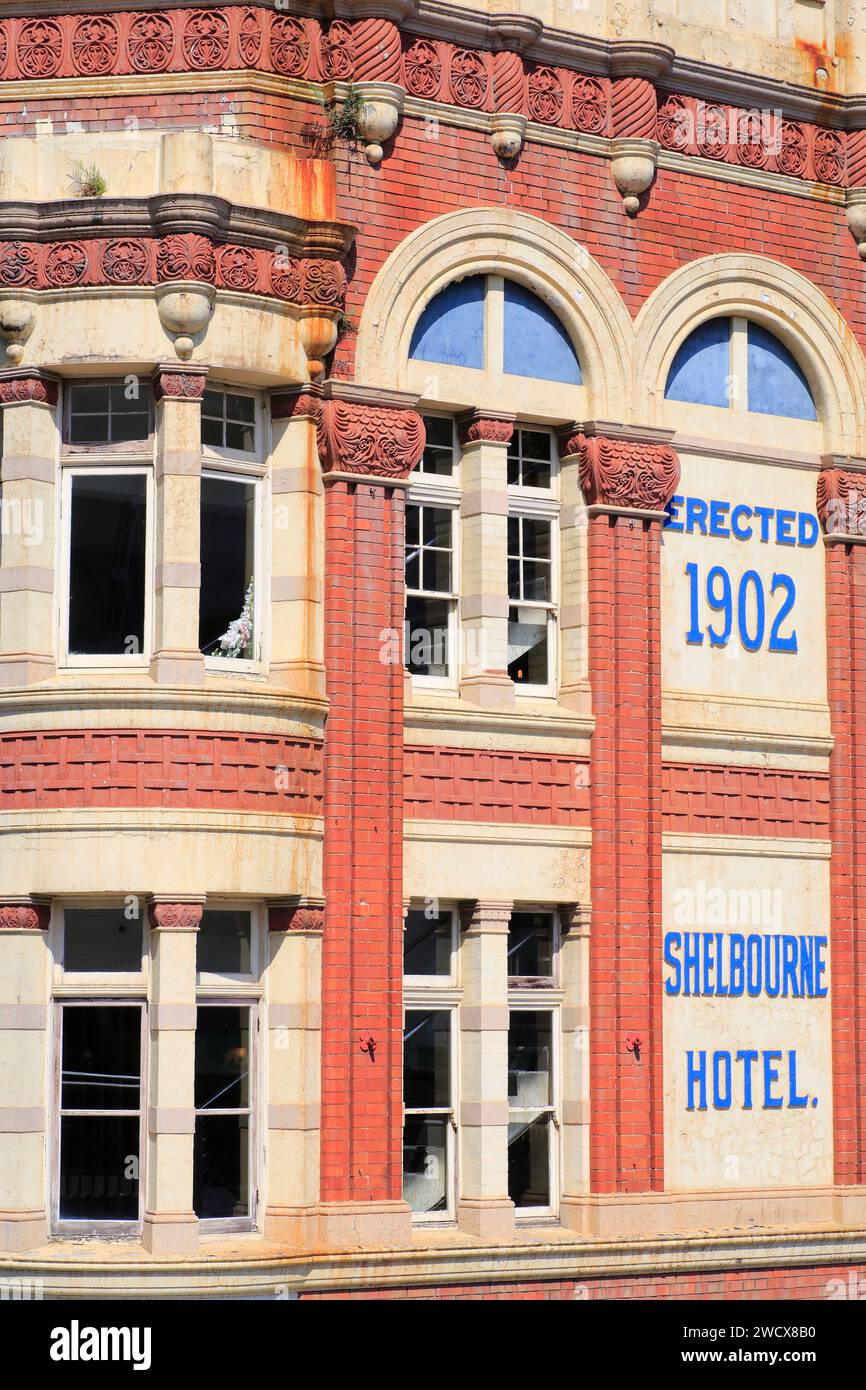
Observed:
{"x":140,"y":261}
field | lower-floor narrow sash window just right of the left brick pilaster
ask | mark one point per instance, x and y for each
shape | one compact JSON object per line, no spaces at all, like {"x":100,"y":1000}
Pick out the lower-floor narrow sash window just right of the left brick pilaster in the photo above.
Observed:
{"x":430,"y":1040}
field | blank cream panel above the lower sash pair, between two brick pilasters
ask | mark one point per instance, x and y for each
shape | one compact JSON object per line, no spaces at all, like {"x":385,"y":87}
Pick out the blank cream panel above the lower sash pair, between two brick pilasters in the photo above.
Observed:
{"x":508,"y":864}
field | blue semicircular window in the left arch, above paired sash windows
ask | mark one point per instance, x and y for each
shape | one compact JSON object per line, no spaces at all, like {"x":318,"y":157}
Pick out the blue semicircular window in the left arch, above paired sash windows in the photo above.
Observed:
{"x":533,"y":343}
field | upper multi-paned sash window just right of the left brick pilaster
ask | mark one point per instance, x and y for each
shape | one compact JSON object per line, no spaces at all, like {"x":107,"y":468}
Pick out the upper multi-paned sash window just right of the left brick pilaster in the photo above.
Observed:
{"x":432,"y":561}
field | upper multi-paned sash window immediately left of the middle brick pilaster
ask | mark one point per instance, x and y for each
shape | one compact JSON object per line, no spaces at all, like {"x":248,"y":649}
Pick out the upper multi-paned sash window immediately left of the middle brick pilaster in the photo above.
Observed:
{"x":532,"y":559}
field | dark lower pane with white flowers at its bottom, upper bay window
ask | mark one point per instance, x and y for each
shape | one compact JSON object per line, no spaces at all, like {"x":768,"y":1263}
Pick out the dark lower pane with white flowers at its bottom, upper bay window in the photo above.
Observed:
{"x":227,"y":544}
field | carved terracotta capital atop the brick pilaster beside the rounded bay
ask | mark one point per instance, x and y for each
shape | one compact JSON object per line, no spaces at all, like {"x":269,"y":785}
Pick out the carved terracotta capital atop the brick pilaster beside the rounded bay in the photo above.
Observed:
{"x":369,"y":433}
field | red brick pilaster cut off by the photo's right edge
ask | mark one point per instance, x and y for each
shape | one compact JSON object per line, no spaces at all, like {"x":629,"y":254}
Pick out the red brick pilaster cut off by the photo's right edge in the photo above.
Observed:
{"x":842,"y":504}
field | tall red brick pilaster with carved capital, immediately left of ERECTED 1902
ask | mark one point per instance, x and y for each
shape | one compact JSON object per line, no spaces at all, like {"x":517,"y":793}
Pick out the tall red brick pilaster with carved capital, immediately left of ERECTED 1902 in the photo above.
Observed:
{"x":628,"y":480}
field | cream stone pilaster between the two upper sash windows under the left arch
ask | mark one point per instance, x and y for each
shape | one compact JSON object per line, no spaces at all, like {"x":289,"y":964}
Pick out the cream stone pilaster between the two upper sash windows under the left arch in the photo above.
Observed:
{"x":484,"y":584}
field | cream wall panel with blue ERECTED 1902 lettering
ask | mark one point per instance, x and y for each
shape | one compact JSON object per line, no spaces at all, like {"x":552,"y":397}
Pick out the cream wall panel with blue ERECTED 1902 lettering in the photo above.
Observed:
{"x":733,"y":671}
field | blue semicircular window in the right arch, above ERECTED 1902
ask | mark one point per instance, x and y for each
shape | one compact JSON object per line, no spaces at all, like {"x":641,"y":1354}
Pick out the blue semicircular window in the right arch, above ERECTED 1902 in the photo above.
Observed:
{"x":739,"y":365}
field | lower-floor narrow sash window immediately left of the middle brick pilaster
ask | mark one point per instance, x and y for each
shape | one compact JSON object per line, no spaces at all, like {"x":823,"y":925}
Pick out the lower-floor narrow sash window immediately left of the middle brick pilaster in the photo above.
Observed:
{"x":533,"y":1063}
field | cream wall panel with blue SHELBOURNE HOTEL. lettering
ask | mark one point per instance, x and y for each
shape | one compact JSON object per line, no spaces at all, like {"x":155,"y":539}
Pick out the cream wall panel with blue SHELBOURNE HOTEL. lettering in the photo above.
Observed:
{"x":764,"y":1147}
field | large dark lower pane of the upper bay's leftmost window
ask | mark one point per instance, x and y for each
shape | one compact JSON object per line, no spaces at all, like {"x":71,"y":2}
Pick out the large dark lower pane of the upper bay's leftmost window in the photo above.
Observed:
{"x":108,"y":564}
